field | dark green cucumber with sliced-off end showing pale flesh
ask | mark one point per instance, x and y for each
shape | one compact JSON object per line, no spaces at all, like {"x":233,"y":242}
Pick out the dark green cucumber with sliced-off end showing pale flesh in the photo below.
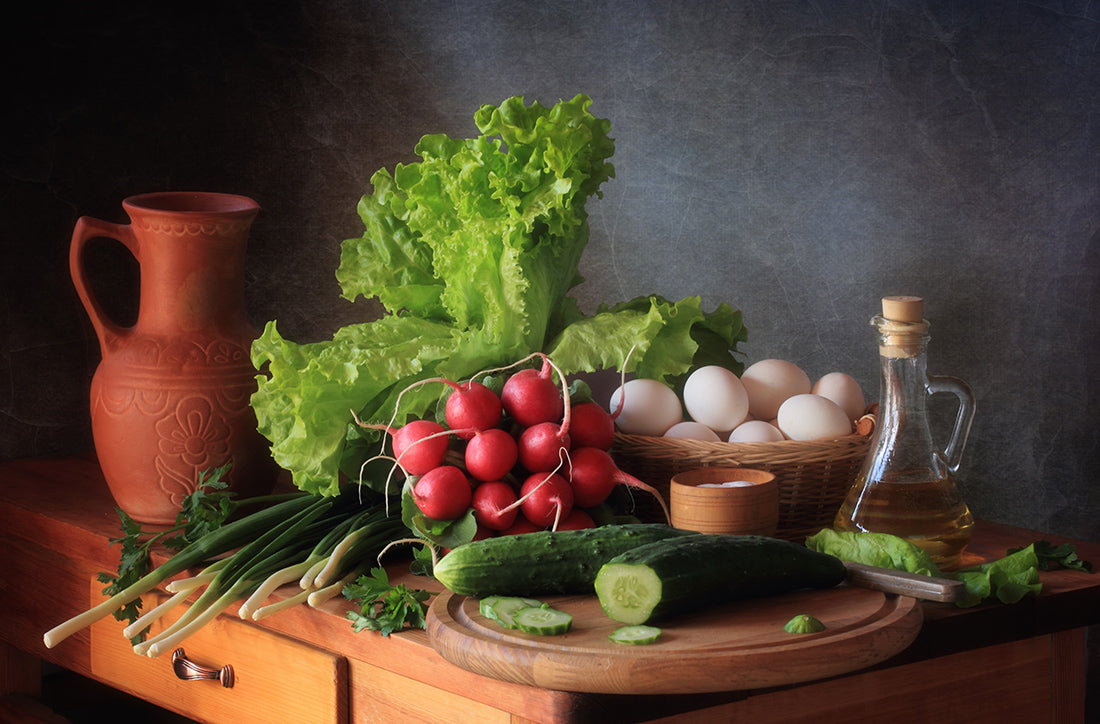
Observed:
{"x":681,"y":575}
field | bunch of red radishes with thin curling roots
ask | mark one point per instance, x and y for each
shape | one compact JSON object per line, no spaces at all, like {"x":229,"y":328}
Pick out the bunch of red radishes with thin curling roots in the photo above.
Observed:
{"x":524,"y":460}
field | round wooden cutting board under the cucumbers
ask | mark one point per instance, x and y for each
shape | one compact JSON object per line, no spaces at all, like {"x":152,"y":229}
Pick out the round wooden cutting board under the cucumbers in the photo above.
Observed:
{"x":733,"y":648}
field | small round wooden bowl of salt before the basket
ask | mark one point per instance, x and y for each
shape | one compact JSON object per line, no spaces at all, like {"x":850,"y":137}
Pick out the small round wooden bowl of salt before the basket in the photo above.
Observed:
{"x":747,"y":510}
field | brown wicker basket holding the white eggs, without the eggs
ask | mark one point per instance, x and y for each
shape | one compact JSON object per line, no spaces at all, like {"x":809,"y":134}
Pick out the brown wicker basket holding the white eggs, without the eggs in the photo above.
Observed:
{"x":813,"y":477}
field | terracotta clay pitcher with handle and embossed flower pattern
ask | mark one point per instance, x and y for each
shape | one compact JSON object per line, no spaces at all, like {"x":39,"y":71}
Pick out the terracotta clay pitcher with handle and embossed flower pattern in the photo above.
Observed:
{"x":170,"y":400}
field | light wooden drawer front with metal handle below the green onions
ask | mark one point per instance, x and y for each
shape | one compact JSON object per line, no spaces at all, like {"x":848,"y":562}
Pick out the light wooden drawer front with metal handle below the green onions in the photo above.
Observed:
{"x":276,"y":678}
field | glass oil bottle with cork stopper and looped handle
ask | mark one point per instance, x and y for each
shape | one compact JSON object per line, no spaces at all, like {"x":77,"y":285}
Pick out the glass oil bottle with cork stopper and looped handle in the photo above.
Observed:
{"x":907,"y":485}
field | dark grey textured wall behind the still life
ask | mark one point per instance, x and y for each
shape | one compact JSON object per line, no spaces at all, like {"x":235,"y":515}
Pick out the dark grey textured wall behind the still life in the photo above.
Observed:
{"x":797,"y":160}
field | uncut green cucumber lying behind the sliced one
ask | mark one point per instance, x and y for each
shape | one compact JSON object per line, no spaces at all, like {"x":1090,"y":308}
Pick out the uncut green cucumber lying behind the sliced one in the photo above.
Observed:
{"x":536,"y":564}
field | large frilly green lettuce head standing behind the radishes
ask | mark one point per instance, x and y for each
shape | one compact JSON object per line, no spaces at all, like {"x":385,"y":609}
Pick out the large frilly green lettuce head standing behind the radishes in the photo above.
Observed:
{"x":472,"y":253}
